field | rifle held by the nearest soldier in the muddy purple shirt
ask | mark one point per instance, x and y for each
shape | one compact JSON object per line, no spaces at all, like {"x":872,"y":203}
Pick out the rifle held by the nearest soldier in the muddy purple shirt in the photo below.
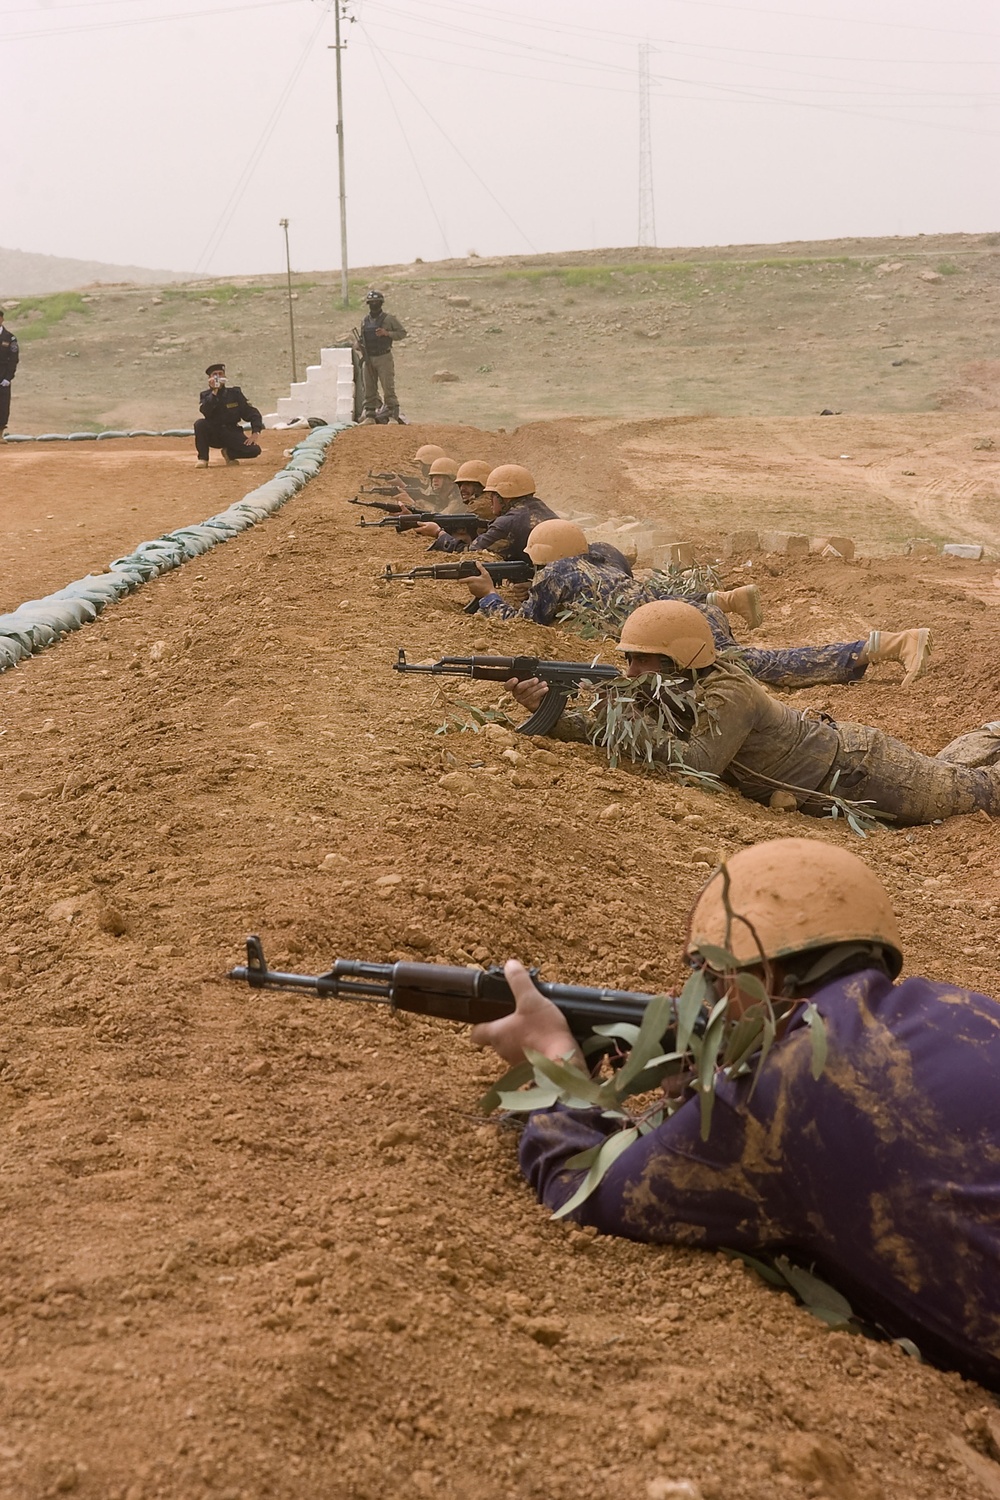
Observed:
{"x":451,"y":994}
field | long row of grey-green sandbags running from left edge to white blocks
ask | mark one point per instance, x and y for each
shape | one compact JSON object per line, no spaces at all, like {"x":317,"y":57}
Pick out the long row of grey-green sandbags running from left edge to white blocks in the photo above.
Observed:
{"x":43,"y":622}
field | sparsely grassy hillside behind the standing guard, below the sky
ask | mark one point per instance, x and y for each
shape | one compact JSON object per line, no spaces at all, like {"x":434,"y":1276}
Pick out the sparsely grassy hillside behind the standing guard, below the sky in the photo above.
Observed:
{"x":855,"y":326}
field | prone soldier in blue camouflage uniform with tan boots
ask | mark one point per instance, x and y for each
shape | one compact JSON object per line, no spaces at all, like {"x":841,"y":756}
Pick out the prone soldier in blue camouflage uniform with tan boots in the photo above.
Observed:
{"x":597,"y":583}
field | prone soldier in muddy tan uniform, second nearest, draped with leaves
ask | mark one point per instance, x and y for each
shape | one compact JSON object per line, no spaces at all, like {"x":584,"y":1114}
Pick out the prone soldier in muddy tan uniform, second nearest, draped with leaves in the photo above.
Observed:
{"x":761,"y":746}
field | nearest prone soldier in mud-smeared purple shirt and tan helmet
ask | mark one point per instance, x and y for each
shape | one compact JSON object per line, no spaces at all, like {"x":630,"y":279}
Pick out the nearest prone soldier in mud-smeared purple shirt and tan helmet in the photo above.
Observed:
{"x":884,"y":1172}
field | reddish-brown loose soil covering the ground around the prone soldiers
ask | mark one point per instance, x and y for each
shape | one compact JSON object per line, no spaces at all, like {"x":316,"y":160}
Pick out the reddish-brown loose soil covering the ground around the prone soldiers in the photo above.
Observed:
{"x":263,"y":1246}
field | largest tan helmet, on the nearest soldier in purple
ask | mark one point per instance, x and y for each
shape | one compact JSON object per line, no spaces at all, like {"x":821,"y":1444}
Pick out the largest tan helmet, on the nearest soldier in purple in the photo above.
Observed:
{"x":789,"y":896}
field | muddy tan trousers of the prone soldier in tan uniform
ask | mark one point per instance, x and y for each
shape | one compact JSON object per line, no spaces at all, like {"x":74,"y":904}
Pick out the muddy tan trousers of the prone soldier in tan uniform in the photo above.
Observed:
{"x":914,"y":788}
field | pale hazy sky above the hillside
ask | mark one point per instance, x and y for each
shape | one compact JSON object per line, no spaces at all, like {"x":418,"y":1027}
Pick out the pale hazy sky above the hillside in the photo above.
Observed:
{"x":161,"y":133}
